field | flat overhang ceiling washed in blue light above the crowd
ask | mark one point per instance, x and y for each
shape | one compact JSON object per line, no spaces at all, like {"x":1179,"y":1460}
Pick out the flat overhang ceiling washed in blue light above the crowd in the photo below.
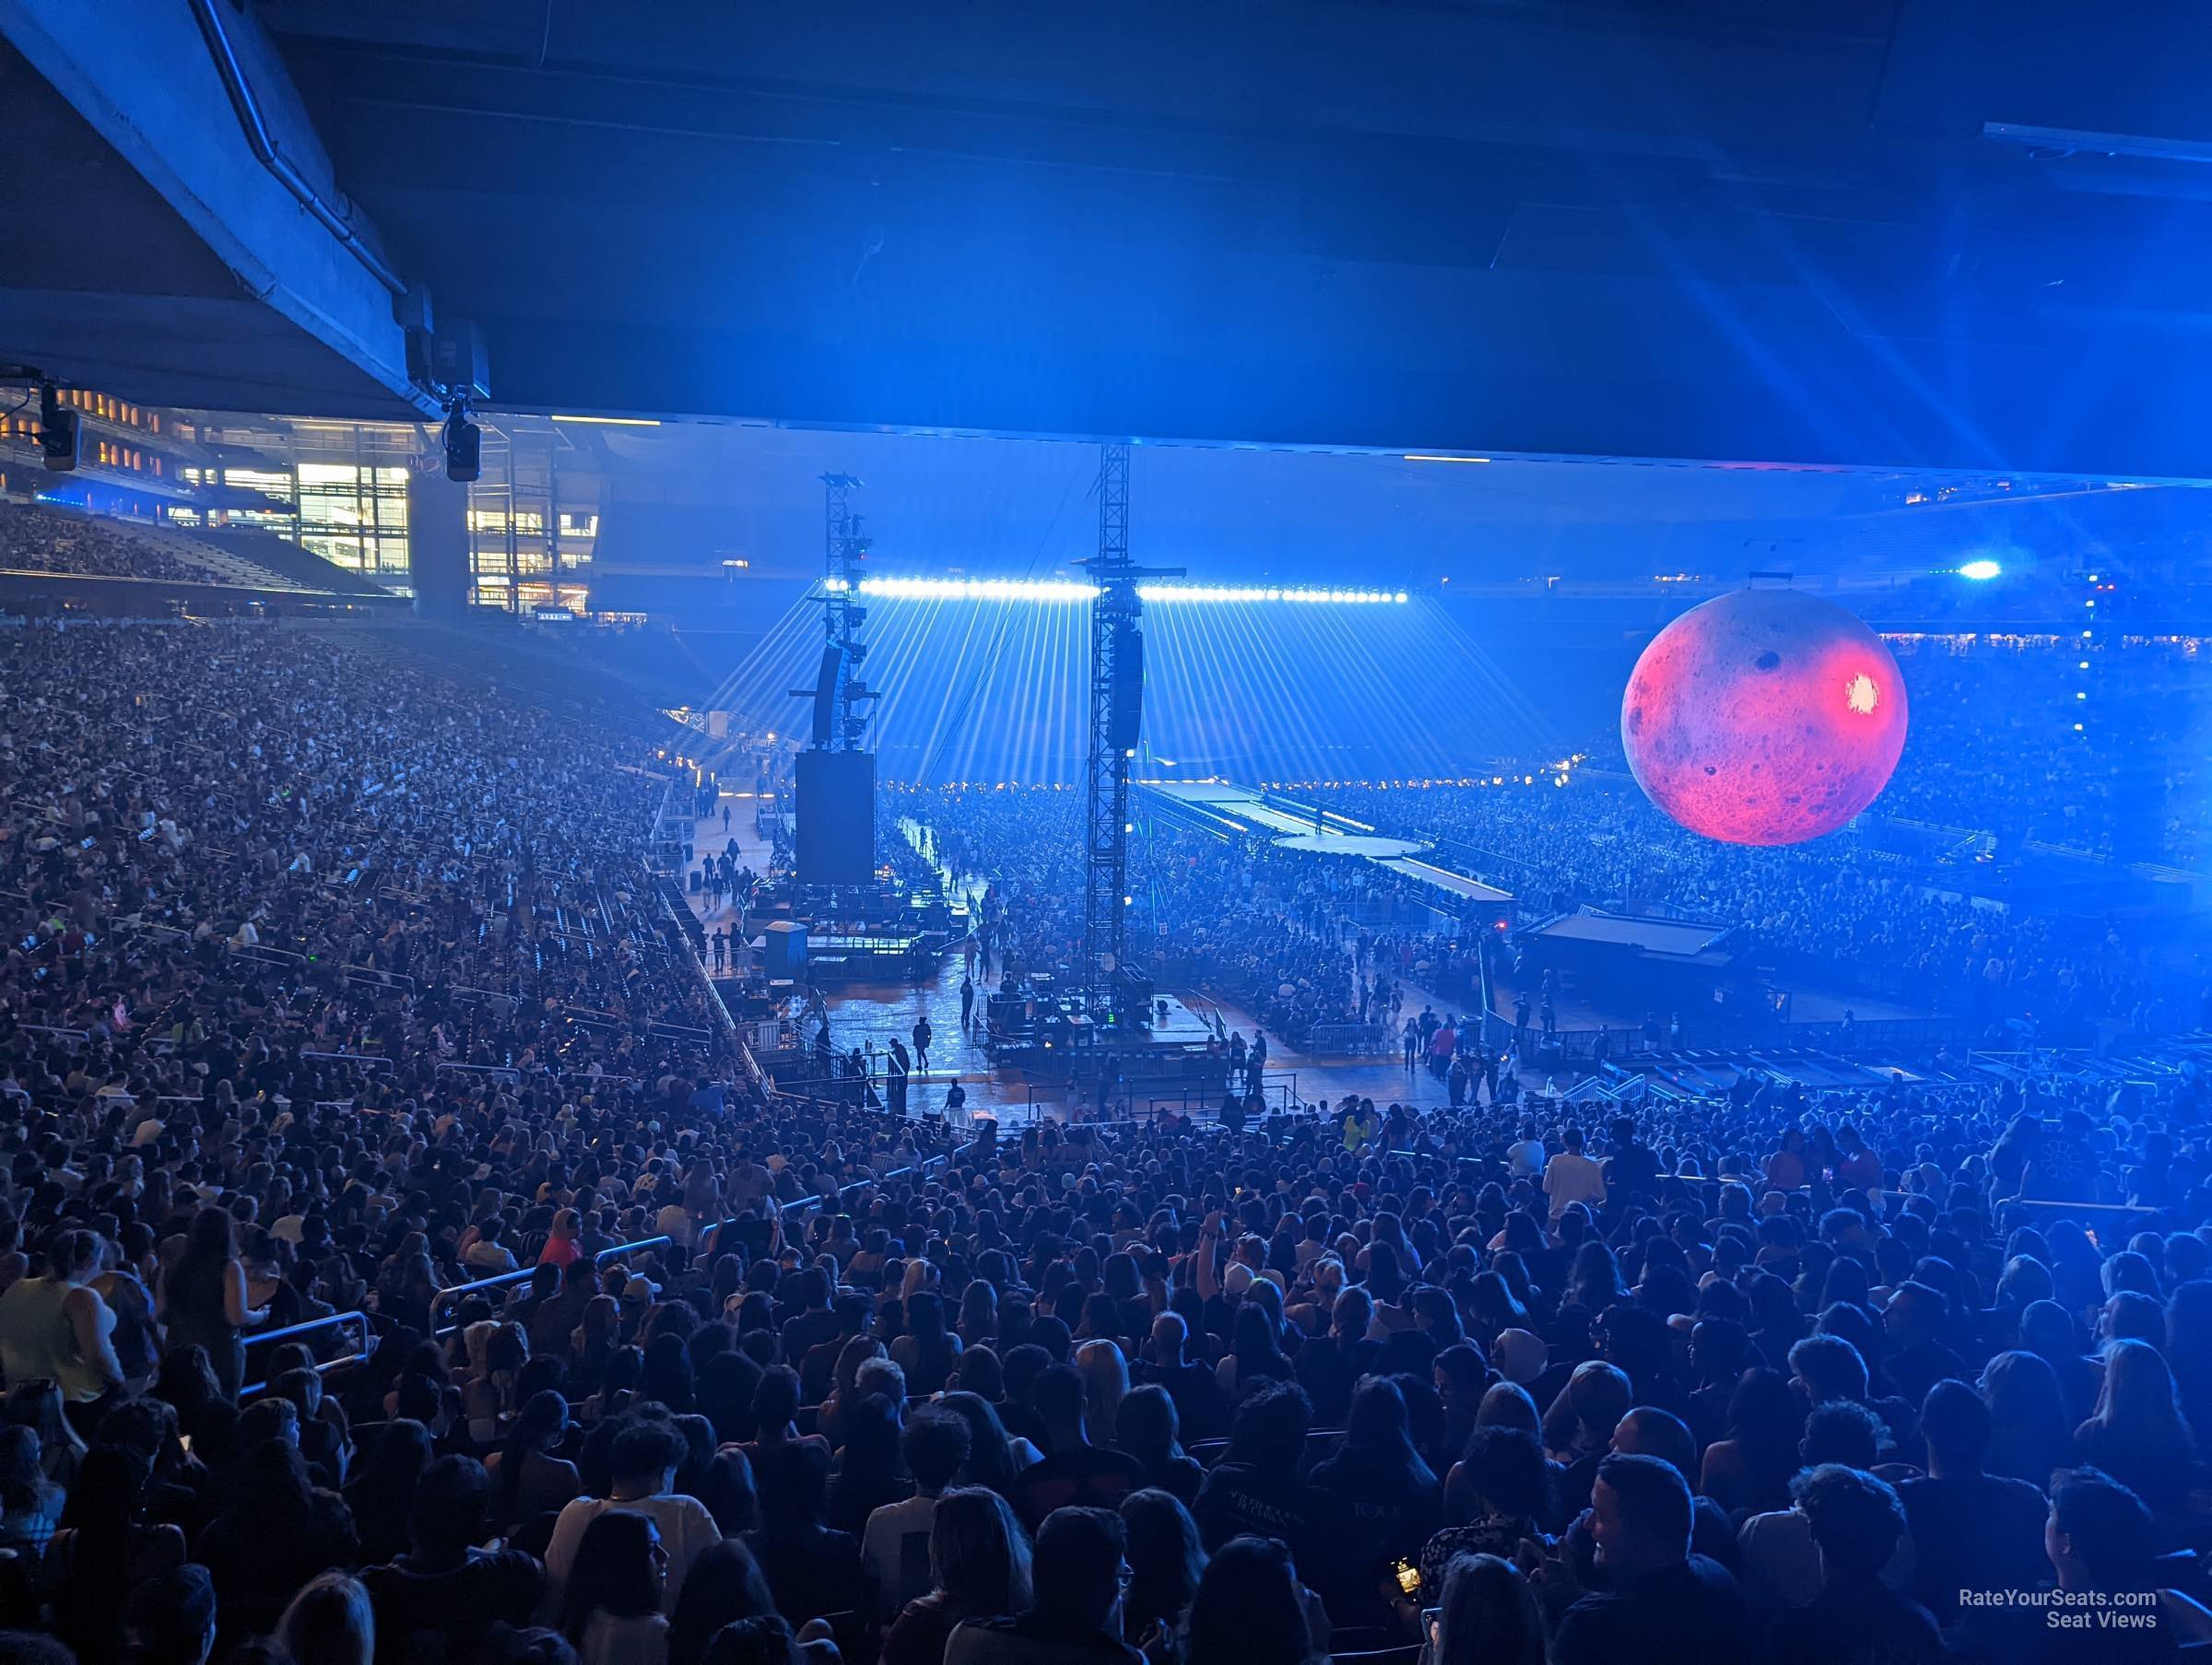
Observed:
{"x":1895,"y":233}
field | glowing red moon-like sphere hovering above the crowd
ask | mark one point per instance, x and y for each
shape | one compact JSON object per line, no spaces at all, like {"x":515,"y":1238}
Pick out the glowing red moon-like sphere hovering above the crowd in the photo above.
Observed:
{"x":1764,"y":718}
